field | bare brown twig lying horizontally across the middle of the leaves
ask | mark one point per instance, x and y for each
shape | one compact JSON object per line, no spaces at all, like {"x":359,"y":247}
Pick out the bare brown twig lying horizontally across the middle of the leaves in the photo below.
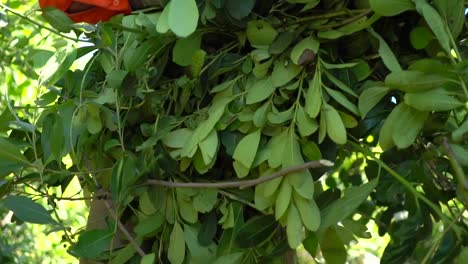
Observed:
{"x":246,"y":183}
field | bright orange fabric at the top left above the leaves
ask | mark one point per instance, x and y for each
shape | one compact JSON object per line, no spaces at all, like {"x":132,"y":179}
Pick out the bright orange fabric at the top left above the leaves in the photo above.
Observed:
{"x":103,"y":10}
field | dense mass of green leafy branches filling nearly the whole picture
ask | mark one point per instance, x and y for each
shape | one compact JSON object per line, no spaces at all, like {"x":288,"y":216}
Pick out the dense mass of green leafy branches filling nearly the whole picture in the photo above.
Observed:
{"x":360,"y":108}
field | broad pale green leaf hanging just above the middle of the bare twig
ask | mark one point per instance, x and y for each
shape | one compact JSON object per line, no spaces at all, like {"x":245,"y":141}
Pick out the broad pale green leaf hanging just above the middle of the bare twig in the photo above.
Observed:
{"x":246,"y":150}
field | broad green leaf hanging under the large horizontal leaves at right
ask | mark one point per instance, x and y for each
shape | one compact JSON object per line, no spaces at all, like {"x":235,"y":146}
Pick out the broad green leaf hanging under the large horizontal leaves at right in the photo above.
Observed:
{"x":407,"y":125}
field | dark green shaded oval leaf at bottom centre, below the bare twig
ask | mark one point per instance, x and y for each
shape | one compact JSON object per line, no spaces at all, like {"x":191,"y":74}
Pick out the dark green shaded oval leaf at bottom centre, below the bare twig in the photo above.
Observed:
{"x":255,"y":231}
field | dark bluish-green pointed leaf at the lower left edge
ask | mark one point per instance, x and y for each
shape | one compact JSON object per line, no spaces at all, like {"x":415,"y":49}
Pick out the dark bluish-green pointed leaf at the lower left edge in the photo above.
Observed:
{"x":27,"y":210}
